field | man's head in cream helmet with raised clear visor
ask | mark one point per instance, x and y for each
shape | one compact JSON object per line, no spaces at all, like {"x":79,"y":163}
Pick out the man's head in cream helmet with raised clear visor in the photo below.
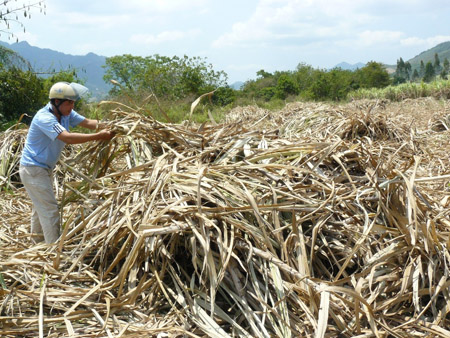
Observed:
{"x":63,"y":96}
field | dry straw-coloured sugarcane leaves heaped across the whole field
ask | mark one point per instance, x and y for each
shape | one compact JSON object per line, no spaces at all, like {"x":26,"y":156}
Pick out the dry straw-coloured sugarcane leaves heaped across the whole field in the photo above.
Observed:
{"x":315,"y":221}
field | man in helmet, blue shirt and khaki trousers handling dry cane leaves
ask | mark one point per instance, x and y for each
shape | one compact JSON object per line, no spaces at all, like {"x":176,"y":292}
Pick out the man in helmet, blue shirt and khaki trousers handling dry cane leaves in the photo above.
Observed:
{"x":47,"y":136}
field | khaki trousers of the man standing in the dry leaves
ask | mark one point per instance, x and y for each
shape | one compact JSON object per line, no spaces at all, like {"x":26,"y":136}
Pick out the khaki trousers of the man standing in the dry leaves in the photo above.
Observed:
{"x":45,"y":223}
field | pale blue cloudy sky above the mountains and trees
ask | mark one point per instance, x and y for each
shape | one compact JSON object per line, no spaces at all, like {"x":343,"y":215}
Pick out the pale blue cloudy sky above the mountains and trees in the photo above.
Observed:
{"x":241,"y":37}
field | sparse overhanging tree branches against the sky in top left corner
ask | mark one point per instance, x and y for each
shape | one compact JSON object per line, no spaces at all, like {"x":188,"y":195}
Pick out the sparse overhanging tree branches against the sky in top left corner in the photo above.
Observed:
{"x":11,"y":13}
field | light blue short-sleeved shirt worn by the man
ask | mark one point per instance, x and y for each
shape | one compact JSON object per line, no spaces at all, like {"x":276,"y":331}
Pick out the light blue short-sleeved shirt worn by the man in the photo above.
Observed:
{"x":42,"y":148}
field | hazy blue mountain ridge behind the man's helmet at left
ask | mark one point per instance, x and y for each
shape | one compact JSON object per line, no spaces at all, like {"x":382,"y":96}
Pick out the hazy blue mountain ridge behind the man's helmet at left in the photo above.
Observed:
{"x":89,"y":67}
